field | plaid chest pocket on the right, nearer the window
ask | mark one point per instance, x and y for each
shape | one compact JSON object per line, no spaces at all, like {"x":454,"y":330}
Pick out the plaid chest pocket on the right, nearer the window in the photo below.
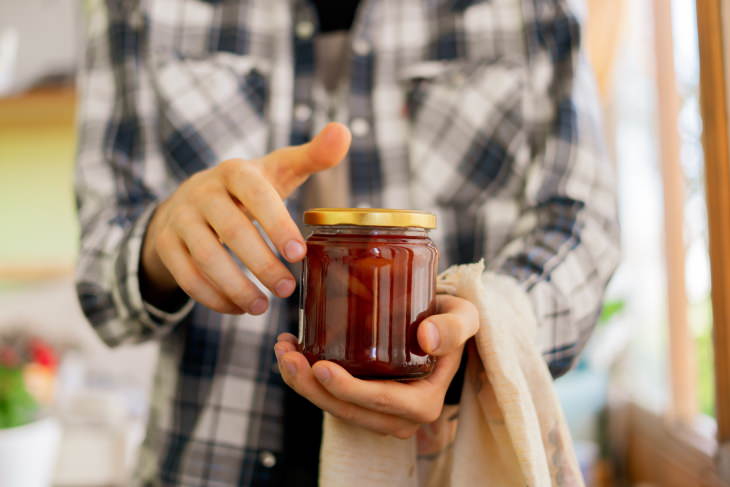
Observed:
{"x":466,"y":134}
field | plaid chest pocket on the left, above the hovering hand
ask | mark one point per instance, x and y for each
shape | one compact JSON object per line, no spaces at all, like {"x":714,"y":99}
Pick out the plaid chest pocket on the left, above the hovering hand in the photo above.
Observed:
{"x":211,"y":108}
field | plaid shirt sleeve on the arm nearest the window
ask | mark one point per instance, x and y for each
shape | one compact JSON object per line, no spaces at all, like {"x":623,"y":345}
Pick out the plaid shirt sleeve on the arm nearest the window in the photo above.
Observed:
{"x":565,"y":245}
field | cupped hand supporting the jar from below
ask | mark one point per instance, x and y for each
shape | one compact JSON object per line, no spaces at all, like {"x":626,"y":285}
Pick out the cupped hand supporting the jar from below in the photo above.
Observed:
{"x":387,"y":407}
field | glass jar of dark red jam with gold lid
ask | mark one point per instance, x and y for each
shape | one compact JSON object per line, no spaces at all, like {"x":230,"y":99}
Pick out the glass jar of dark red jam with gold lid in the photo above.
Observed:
{"x":368,"y":280}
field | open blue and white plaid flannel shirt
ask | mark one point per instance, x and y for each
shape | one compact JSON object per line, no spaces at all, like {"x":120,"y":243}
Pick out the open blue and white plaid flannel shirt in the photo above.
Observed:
{"x":482,"y":111}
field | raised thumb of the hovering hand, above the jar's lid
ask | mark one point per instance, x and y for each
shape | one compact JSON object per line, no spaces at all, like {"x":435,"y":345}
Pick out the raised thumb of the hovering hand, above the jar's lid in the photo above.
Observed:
{"x":289,"y":167}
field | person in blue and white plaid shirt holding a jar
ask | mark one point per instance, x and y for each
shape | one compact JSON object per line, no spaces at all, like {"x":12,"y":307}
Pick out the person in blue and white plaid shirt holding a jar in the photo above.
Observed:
{"x":207,"y":126}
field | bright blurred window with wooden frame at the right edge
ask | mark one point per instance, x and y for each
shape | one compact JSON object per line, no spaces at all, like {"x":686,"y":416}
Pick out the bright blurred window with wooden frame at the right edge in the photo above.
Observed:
{"x":670,"y":438}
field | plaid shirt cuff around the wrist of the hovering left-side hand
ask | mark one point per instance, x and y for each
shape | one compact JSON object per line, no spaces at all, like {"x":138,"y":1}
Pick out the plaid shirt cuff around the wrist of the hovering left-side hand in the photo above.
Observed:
{"x":127,"y":278}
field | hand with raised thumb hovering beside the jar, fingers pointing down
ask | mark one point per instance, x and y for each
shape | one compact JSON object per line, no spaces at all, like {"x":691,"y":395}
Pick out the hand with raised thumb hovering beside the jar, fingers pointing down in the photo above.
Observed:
{"x":183,"y":244}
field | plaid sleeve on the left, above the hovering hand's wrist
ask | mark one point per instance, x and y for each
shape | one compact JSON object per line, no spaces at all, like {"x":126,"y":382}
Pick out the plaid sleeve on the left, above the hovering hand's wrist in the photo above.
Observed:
{"x":120,"y":177}
